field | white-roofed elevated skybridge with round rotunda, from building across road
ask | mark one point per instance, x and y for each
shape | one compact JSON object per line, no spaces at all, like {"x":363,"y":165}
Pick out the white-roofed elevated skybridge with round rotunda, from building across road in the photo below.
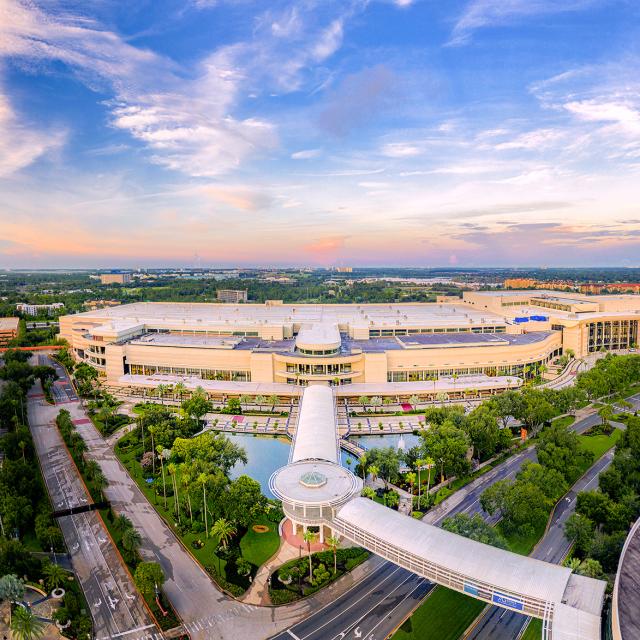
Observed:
{"x":316,"y":491}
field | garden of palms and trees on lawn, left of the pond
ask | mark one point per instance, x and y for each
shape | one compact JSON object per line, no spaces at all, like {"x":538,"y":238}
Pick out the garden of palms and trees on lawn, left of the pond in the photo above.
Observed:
{"x":228,"y":525}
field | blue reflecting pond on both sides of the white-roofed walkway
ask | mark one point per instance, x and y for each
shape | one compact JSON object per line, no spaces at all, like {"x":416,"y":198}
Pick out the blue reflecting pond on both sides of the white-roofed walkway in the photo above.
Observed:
{"x":266,"y":454}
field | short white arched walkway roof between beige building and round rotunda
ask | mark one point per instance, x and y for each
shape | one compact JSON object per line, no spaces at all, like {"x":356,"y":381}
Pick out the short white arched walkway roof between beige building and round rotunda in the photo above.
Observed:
{"x":316,"y":431}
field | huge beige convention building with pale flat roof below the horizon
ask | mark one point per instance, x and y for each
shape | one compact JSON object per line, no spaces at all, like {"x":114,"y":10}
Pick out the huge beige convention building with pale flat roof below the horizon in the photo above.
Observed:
{"x":487,"y":342}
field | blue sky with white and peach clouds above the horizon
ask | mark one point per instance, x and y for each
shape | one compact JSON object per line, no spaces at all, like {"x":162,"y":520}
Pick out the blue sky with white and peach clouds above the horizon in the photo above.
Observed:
{"x":379,"y":132}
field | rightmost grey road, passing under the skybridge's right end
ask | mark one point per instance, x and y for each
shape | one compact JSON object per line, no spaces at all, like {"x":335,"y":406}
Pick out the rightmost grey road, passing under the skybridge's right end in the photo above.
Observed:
{"x":500,"y":624}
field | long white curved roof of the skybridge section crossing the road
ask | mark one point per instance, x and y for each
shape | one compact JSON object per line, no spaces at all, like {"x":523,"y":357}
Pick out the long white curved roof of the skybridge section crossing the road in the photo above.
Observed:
{"x":479,"y":562}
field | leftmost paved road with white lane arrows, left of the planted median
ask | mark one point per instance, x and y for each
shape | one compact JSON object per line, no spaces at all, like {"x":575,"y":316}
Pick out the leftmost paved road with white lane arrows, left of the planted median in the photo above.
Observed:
{"x":116,"y":607}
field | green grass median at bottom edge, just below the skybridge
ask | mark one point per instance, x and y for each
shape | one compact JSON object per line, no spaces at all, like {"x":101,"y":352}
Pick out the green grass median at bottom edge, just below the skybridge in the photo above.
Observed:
{"x":443,"y":616}
